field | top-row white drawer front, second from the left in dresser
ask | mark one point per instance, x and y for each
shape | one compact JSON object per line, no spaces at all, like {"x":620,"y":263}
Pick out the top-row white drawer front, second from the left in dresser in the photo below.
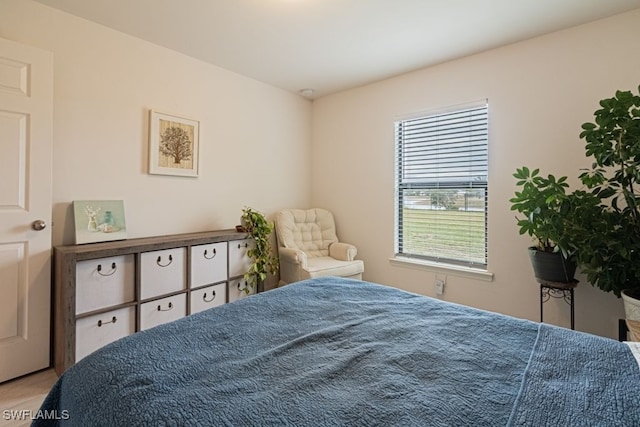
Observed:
{"x":162,"y":272}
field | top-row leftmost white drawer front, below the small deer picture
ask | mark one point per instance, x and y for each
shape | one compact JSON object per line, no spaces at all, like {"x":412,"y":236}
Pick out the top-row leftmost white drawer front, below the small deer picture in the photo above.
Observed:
{"x":104,"y":282}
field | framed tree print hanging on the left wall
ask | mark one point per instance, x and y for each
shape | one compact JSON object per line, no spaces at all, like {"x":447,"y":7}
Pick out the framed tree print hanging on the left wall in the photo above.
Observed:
{"x":174,"y":144}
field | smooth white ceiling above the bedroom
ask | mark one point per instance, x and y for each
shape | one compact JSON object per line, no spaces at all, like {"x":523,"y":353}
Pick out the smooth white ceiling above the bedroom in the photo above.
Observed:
{"x":332,"y":45}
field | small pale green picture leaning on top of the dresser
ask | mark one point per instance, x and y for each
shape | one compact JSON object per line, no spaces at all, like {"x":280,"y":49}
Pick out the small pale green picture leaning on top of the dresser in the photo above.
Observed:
{"x":99,"y":221}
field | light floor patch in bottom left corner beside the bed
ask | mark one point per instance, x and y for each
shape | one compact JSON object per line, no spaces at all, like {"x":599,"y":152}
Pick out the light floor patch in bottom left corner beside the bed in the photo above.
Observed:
{"x":25,"y":393}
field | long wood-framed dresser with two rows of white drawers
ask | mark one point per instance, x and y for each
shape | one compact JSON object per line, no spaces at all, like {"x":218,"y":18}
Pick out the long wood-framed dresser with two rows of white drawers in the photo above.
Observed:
{"x":106,"y":291}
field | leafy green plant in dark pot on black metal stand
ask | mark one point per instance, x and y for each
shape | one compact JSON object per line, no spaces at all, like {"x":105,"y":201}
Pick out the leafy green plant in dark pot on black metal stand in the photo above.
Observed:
{"x":546,"y":209}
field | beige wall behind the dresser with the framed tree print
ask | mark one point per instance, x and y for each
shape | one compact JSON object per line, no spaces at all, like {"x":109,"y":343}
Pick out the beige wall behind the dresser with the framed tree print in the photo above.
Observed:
{"x":255,"y":139}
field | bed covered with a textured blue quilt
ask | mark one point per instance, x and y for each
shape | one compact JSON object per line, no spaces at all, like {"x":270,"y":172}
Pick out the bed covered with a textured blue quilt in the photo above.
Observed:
{"x":341,"y":352}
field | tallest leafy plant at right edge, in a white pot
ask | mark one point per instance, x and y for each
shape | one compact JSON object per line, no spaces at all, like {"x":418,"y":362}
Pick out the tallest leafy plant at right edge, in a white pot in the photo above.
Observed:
{"x":609,"y":244}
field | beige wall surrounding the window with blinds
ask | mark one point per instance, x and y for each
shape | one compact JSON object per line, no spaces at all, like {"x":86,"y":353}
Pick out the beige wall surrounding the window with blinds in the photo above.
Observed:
{"x":539,"y":91}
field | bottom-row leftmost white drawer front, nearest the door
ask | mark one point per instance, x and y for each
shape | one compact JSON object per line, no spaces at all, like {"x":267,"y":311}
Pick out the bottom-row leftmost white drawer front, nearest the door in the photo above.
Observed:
{"x":99,"y":330}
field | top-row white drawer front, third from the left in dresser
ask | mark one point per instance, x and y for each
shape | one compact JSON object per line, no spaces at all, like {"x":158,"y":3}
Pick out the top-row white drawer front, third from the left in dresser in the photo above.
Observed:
{"x":208,"y":264}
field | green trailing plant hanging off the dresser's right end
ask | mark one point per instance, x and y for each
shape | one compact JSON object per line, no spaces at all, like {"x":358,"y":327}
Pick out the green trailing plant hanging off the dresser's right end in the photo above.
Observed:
{"x":263,"y":259}
